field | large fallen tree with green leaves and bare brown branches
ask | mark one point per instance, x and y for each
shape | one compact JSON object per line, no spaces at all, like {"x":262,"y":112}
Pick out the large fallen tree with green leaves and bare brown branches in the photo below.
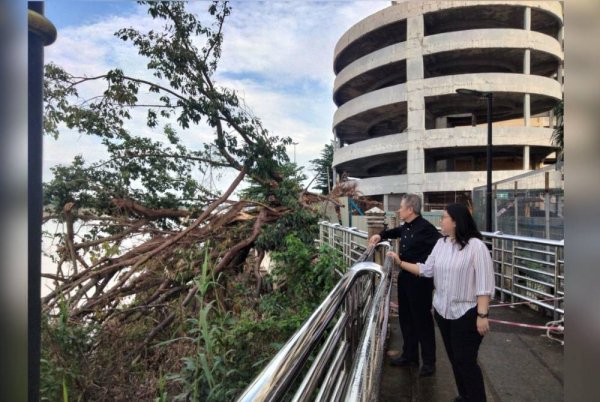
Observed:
{"x":148,"y":186}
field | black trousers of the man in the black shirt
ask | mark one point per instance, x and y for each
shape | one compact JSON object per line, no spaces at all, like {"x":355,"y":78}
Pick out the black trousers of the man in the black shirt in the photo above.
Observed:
{"x":416,"y":321}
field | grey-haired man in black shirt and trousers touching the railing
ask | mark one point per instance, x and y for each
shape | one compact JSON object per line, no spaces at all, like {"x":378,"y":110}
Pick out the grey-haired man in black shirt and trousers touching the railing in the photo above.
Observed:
{"x":417,"y":238}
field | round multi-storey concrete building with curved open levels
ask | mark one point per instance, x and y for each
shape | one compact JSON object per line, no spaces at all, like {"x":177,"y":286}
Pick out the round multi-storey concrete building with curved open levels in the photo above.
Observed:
{"x":401,"y":126}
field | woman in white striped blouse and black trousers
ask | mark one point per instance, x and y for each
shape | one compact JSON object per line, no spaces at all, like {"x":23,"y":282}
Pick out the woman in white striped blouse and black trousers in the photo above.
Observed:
{"x":461,"y":267}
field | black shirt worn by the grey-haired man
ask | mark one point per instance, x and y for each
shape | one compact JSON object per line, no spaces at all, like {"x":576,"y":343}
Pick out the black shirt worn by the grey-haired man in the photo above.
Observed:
{"x":417,"y":239}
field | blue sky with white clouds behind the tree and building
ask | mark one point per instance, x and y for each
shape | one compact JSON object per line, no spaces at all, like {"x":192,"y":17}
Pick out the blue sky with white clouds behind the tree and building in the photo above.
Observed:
{"x":277,"y":54}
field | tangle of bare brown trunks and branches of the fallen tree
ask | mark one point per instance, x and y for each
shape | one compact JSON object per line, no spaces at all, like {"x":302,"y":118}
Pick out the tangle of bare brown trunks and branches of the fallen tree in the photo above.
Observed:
{"x":147,"y":272}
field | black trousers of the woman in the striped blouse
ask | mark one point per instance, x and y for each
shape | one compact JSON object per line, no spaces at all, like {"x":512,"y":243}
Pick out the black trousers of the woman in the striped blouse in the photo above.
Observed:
{"x":462,"y":341}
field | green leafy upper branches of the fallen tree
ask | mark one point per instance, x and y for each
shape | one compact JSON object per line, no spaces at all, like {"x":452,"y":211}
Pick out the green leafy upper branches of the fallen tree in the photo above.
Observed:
{"x":158,"y":173}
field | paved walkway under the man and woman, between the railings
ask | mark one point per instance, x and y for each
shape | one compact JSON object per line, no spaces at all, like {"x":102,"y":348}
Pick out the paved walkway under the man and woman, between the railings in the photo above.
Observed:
{"x":519,"y":364}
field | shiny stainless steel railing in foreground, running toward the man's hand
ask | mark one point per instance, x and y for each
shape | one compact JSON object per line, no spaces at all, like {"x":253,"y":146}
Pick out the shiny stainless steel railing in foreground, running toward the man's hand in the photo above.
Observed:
{"x":345,"y":335}
